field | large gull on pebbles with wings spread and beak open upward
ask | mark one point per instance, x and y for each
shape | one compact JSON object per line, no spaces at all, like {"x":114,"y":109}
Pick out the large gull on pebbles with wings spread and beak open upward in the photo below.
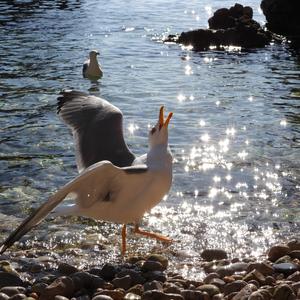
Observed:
{"x":113,"y":185}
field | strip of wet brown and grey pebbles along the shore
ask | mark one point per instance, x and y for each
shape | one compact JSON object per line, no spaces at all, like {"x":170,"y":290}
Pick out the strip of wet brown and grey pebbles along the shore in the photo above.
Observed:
{"x":33,"y":274}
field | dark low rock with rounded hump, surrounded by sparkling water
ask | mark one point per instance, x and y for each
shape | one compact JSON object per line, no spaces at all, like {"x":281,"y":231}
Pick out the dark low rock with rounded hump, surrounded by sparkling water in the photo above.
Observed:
{"x":227,"y":27}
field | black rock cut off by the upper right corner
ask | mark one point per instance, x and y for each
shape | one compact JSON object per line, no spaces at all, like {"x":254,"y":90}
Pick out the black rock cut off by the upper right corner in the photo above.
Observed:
{"x":283,"y":17}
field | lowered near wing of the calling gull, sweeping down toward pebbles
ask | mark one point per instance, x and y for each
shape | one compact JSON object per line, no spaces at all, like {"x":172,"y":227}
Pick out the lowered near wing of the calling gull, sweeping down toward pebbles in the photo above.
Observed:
{"x":96,"y":181}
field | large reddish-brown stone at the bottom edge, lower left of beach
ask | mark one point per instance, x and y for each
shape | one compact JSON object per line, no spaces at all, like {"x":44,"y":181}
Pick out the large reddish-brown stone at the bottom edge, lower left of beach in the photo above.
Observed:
{"x":63,"y":286}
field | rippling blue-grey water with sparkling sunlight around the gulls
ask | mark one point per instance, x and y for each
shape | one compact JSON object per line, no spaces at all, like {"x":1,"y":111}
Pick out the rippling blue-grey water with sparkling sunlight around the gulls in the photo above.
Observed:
{"x":235,"y":134}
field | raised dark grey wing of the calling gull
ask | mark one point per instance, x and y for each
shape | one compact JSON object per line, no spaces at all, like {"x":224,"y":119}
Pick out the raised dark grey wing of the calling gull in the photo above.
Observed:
{"x":97,"y":129}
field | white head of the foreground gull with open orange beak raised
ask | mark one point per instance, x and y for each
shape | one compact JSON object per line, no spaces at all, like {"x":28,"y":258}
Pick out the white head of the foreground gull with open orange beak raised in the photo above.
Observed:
{"x":158,"y":135}
